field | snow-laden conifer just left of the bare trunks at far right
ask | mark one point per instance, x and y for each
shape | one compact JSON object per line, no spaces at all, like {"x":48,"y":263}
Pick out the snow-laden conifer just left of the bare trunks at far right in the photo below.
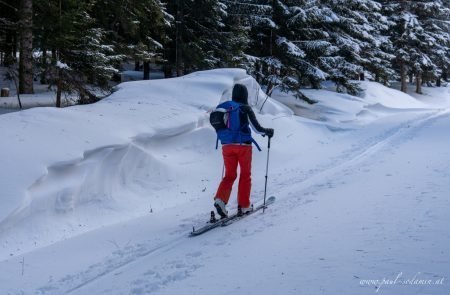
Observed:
{"x":355,"y":28}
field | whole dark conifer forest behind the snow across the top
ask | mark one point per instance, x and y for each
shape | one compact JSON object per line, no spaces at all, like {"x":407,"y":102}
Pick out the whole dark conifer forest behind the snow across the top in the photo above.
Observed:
{"x":80,"y":46}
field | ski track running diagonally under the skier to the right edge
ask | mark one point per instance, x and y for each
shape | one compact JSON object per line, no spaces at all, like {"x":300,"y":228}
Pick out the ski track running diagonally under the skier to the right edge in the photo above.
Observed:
{"x":298,"y":190}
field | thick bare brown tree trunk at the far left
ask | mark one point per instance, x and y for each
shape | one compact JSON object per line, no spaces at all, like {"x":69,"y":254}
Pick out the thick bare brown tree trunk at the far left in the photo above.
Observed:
{"x":26,"y":47}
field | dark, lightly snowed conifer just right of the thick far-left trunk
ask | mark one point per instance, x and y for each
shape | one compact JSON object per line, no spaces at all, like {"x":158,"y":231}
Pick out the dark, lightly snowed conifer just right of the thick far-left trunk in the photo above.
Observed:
{"x":81,"y":62}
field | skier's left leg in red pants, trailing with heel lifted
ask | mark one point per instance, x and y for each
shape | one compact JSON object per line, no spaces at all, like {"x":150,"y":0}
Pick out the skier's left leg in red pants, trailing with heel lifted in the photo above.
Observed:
{"x":230,"y":159}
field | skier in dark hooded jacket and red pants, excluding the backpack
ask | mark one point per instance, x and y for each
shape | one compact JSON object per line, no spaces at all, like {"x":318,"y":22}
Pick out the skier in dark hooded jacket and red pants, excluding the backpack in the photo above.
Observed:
{"x":236,"y":151}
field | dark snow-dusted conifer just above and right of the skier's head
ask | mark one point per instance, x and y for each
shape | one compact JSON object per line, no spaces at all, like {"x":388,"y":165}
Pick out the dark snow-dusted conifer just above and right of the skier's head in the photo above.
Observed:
{"x":273,"y":59}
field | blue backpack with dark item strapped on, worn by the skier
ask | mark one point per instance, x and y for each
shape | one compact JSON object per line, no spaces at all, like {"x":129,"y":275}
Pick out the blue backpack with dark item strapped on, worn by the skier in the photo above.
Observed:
{"x":226,"y":121}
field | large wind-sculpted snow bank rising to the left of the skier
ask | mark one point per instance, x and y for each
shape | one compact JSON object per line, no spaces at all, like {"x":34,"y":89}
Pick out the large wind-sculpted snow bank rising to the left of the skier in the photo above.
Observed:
{"x":122,"y":157}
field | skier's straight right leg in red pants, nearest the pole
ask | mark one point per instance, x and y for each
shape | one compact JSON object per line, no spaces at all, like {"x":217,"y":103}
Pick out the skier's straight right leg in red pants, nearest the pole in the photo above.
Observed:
{"x":245,"y":178}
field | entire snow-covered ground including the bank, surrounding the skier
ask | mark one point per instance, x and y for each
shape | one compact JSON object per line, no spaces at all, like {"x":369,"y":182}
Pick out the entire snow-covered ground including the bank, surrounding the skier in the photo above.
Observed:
{"x":100,"y":199}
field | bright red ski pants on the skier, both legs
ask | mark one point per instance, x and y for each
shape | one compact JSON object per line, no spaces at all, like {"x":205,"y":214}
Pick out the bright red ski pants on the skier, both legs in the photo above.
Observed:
{"x":233,"y":155}
